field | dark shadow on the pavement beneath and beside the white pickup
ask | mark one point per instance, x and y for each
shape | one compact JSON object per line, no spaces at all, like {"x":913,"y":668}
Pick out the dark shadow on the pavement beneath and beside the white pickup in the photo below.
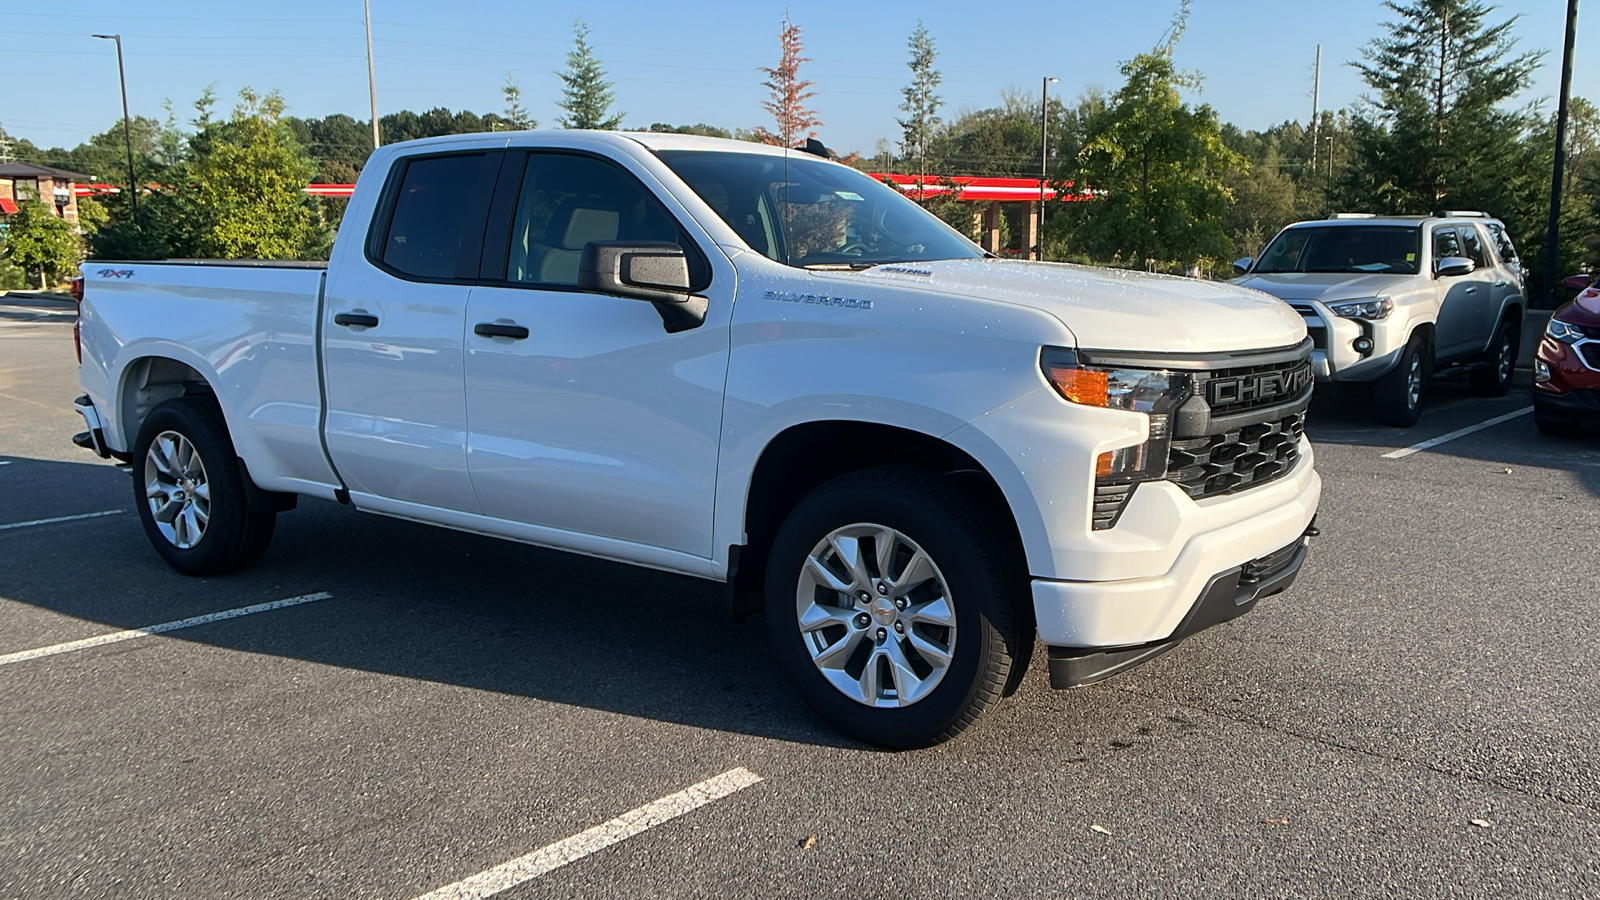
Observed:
{"x":425,"y":603}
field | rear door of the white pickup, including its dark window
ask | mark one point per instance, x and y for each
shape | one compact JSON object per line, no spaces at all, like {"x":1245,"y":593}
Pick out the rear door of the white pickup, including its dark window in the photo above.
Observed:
{"x":393,"y":329}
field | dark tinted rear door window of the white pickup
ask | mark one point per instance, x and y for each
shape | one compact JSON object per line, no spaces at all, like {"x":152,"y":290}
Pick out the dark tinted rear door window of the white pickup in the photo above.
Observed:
{"x":434,"y":212}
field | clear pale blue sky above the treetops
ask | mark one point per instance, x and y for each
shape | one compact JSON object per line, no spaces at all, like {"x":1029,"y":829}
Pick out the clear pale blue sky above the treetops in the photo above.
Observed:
{"x":687,"y":63}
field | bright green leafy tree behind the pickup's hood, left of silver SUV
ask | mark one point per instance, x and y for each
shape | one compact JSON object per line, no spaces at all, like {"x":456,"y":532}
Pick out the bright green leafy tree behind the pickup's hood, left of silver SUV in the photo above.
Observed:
{"x":1158,"y":171}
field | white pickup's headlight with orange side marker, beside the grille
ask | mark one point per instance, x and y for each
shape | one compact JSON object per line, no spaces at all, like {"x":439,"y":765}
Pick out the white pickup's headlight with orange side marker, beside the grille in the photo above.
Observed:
{"x":1151,"y":392}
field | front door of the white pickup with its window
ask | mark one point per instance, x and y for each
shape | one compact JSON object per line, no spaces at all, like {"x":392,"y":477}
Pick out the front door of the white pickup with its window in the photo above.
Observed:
{"x":598,"y":422}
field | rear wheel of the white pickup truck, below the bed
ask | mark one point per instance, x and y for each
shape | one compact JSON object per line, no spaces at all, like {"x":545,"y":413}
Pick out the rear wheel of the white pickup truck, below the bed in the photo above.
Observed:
{"x":190,"y":491}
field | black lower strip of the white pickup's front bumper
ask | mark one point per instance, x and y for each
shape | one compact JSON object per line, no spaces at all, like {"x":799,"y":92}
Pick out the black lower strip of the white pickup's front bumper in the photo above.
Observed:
{"x":1226,"y":597}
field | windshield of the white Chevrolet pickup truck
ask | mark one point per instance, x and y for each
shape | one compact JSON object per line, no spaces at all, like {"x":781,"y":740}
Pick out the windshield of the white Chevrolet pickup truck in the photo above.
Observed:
{"x":806,"y":212}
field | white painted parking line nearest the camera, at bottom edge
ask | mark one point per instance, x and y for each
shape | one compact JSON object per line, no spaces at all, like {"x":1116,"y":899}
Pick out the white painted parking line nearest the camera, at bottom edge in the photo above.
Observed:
{"x":556,"y":856}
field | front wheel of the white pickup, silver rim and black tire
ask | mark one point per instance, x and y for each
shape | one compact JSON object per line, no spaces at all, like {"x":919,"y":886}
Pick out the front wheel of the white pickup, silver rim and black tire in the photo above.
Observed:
{"x":890,"y":609}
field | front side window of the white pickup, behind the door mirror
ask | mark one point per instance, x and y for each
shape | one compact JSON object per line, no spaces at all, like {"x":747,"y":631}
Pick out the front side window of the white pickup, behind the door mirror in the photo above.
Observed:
{"x":570,"y":201}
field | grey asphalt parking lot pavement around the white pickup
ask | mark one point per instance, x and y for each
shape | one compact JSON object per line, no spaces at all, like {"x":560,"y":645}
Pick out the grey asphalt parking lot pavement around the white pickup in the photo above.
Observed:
{"x":1418,"y":717}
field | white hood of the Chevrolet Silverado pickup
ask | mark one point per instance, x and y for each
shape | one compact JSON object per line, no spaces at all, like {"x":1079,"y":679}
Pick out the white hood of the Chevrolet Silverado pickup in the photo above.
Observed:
{"x":1114,"y":310}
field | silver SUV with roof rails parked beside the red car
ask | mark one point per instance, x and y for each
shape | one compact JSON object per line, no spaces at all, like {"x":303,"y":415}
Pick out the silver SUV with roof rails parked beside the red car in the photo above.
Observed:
{"x":1390,"y":300}
